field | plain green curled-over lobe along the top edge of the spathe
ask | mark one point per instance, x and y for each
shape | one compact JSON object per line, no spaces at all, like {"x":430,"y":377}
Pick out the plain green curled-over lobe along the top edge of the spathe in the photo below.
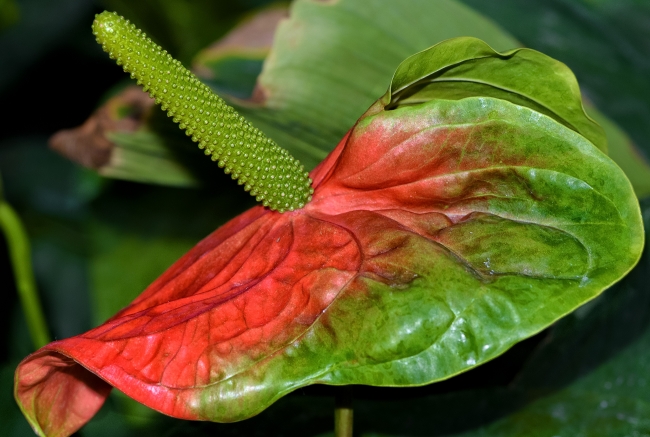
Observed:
{"x":466,"y":67}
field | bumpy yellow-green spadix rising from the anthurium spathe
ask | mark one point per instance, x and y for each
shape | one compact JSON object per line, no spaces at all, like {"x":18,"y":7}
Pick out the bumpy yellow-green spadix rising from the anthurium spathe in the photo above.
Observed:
{"x":273,"y":176}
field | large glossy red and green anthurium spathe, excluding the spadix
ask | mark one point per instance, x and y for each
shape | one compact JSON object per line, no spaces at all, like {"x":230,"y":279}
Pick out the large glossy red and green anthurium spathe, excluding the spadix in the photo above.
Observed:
{"x":447,"y":225}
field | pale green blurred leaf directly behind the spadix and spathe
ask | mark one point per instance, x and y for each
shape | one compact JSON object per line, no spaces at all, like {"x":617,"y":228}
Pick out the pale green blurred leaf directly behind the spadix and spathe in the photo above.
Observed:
{"x":331,"y":60}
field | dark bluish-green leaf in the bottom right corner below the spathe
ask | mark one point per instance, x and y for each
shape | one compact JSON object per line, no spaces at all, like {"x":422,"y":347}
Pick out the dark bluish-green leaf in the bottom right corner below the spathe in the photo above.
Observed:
{"x":599,"y":358}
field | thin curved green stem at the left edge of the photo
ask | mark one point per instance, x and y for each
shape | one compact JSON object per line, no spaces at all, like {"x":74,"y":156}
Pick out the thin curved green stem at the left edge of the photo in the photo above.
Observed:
{"x":19,"y":254}
